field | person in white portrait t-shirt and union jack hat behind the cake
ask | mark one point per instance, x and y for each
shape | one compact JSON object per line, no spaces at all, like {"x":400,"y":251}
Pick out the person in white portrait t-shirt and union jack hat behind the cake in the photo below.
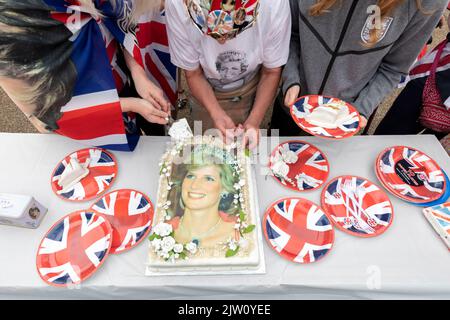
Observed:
{"x":234,"y":71}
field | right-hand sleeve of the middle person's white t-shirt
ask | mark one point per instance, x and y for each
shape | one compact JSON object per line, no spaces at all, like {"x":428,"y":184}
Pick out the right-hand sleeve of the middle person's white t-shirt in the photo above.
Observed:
{"x":278,"y":29}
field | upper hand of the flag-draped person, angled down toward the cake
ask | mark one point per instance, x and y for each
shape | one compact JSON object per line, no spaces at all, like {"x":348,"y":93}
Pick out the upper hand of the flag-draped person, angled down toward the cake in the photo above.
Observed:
{"x":149,"y":91}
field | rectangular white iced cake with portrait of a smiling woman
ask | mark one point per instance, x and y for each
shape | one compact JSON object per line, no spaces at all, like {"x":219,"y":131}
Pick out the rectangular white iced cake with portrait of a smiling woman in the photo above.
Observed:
{"x":206,"y":219}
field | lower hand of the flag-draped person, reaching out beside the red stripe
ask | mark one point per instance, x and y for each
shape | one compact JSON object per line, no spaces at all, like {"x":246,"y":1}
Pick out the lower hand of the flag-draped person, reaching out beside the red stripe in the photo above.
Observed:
{"x":145,"y":109}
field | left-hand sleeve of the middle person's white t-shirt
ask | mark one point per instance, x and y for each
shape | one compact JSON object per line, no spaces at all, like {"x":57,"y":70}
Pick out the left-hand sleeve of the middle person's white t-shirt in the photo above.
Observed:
{"x":181,"y":47}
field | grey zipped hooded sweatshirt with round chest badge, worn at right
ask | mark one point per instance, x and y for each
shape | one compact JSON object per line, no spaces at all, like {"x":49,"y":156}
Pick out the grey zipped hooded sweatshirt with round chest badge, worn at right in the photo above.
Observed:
{"x":328,"y":55}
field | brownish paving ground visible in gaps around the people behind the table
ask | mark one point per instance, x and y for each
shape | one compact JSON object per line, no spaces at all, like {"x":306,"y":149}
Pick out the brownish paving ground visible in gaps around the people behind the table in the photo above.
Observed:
{"x":12,"y":120}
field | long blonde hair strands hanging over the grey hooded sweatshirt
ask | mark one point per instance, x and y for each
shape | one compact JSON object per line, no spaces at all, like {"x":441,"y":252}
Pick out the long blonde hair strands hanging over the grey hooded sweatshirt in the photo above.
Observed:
{"x":386,"y":8}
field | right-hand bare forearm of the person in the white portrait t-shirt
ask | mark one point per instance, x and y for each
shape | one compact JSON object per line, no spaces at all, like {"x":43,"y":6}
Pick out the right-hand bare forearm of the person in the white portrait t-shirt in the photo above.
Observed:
{"x":265,"y":94}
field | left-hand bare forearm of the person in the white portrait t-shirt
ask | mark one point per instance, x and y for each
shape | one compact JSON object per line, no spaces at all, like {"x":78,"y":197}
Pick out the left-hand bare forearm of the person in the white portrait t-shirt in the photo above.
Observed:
{"x":202,"y":91}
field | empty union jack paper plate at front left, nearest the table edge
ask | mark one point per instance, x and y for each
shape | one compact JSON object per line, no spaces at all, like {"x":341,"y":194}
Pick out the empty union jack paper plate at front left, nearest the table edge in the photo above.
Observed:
{"x":73,"y":249}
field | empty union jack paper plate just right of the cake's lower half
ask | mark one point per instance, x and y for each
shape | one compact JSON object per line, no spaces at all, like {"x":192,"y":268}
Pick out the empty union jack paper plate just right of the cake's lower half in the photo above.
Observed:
{"x":298,"y":230}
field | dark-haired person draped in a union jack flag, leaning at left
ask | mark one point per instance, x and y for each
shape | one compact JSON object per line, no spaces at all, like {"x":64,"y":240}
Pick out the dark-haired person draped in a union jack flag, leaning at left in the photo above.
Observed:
{"x":55,"y":59}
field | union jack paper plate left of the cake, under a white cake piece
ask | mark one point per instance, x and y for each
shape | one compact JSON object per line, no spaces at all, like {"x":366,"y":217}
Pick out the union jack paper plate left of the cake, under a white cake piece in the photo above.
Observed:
{"x":102,"y":172}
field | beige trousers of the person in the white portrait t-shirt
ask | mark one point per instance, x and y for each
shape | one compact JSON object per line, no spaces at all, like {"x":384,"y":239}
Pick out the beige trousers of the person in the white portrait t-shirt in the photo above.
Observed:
{"x":237,"y":104}
